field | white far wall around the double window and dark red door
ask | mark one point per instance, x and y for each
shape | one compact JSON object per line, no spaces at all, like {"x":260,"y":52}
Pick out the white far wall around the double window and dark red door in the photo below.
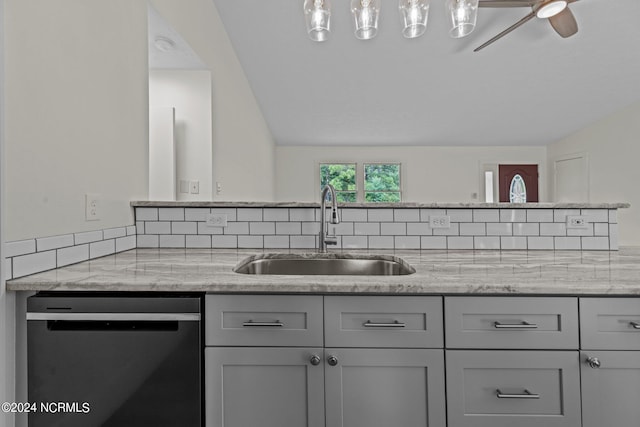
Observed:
{"x":429,"y":174}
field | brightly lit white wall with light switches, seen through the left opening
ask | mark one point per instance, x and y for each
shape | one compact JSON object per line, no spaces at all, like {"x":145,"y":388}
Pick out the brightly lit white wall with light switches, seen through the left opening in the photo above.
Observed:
{"x":189,"y":92}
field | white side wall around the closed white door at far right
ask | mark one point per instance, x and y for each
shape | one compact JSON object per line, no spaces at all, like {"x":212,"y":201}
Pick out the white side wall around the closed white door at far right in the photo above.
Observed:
{"x":613,"y":148}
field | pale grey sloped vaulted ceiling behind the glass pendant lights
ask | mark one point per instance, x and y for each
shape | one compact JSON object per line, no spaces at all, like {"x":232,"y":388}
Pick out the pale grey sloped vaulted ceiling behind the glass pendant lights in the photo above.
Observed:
{"x":530,"y":88}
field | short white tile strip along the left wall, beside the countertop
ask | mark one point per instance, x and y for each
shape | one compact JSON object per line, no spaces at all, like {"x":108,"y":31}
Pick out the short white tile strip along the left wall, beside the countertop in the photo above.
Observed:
{"x":30,"y":256}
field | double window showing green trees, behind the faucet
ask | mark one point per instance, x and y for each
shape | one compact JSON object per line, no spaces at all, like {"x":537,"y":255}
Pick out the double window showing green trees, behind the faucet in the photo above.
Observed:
{"x":375,"y":182}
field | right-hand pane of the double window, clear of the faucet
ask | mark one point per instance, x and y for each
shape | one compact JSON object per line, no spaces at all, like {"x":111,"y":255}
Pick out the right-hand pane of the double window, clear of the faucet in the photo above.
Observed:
{"x":382,"y":182}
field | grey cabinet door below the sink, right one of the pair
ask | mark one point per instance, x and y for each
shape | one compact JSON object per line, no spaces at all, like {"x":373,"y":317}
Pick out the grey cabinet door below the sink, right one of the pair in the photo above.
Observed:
{"x":384,"y":387}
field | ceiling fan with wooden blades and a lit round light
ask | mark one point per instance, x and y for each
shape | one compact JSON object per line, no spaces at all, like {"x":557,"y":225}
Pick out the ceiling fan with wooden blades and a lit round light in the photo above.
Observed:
{"x":556,"y":11}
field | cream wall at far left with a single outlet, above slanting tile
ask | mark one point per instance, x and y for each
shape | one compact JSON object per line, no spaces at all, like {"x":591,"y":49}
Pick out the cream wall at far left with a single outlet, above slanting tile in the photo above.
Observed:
{"x":76,"y":113}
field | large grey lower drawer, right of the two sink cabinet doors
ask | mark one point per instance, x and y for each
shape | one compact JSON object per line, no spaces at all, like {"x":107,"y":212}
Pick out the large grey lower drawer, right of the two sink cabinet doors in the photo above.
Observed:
{"x":513,"y":388}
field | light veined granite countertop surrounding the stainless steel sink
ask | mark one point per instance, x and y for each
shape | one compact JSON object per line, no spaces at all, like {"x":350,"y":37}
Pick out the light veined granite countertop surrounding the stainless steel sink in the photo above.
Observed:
{"x":437,"y":272}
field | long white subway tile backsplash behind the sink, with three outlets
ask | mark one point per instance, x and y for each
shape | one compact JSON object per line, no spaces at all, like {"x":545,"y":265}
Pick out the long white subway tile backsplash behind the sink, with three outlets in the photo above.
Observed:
{"x":383,"y":228}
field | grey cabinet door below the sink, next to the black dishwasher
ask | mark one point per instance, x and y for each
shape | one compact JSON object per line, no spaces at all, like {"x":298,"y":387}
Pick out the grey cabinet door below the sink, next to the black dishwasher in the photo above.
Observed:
{"x":264,"y":387}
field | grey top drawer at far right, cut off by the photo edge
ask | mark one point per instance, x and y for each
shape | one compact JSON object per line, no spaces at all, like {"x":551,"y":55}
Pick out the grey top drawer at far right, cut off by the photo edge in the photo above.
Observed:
{"x":610,"y":323}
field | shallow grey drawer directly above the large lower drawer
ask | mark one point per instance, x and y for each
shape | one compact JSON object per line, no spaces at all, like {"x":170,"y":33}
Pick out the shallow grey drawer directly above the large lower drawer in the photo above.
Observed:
{"x":511,"y":322}
